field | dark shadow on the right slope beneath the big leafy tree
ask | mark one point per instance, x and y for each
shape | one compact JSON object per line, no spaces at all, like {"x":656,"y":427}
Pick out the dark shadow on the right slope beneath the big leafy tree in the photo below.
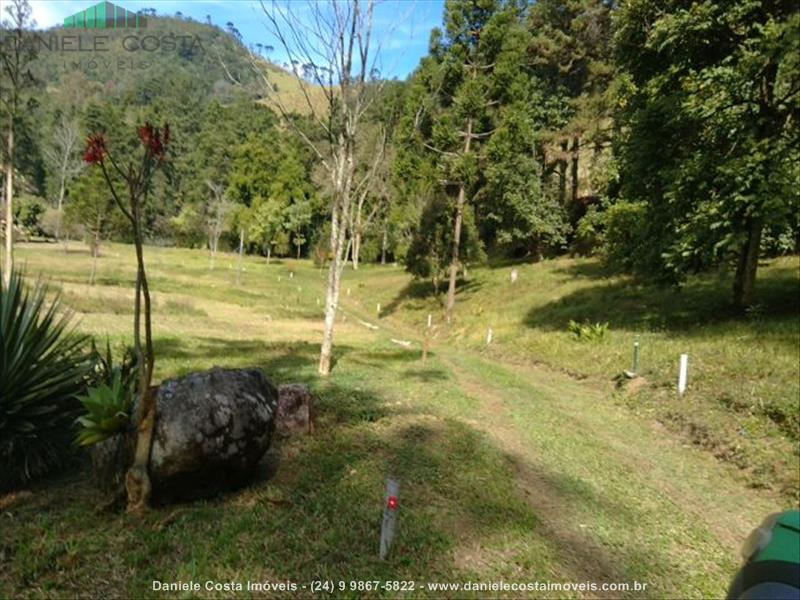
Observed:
{"x":628,"y":304}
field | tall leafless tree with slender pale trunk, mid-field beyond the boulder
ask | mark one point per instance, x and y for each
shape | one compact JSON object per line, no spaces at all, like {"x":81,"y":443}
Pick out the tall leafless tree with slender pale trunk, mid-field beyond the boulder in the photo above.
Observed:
{"x":334,"y":40}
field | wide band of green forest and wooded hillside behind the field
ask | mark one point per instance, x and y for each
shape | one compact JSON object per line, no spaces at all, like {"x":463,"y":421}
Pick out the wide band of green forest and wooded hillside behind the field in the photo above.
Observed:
{"x":661,"y":136}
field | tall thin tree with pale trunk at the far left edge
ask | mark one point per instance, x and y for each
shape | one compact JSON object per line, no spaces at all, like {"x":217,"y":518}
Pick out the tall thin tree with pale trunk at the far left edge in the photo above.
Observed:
{"x":16,"y":54}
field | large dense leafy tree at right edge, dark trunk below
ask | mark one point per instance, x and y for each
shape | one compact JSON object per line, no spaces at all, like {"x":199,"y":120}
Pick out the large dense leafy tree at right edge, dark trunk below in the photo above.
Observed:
{"x":710,"y":106}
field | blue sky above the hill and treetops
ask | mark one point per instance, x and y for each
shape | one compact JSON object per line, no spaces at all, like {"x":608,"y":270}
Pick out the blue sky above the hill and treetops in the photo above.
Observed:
{"x":402,"y":25}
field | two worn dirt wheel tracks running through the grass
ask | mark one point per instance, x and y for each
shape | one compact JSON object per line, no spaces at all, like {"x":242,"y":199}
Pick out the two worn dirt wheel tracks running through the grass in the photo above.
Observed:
{"x":729,"y":512}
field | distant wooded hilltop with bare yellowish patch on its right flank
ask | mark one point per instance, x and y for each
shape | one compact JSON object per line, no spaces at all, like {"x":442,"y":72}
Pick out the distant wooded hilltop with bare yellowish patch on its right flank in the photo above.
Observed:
{"x":167,"y":52}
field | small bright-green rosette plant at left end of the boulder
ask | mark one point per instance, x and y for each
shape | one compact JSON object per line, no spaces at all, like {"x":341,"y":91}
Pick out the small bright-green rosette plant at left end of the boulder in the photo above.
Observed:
{"x":107,"y":411}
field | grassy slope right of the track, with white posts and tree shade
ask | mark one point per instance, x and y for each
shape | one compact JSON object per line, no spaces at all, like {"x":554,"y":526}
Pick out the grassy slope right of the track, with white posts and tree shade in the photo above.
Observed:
{"x":743,"y":398}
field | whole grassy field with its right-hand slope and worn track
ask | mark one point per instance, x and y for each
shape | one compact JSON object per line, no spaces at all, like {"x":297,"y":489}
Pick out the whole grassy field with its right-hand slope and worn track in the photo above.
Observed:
{"x":519,"y":462}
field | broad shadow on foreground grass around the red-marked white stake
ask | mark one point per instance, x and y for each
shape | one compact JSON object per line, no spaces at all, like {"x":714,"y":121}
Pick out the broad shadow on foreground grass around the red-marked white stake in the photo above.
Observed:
{"x":467,"y":510}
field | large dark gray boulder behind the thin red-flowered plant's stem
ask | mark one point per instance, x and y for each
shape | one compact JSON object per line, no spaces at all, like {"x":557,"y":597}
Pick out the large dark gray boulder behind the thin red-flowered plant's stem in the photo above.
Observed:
{"x":212,"y":428}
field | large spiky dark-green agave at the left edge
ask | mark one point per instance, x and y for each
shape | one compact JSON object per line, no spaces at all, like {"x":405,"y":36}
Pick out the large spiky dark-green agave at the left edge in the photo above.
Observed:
{"x":42,"y":368}
